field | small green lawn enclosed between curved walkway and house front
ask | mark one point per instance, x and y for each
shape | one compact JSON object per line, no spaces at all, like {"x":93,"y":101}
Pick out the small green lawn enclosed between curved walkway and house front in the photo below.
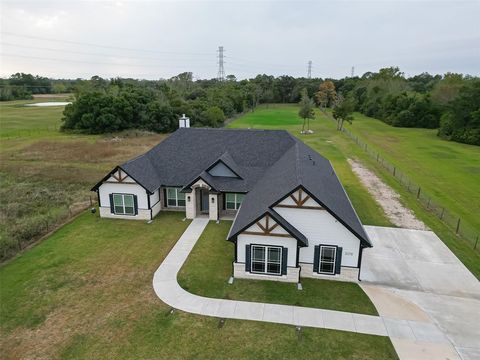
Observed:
{"x":209,"y":266}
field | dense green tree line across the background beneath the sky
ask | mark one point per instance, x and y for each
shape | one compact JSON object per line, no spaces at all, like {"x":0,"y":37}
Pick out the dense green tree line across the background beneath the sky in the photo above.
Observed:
{"x":449,"y":103}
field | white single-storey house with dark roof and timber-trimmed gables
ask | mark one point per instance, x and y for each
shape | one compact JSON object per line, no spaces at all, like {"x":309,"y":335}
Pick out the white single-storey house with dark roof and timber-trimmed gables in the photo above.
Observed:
{"x":291,"y":216}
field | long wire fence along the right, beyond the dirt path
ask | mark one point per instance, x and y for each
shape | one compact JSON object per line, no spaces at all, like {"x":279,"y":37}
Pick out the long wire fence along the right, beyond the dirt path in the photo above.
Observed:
{"x":454,"y":222}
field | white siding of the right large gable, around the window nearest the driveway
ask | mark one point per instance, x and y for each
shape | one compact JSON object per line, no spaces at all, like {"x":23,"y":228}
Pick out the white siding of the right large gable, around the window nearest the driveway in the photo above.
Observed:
{"x":320,"y":227}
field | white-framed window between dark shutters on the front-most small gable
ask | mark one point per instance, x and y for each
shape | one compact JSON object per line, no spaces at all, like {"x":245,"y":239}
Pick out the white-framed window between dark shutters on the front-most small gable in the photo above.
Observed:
{"x":266,"y":259}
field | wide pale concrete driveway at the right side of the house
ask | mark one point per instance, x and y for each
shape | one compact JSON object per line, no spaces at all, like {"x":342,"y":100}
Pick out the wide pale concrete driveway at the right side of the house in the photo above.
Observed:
{"x":411,"y":274}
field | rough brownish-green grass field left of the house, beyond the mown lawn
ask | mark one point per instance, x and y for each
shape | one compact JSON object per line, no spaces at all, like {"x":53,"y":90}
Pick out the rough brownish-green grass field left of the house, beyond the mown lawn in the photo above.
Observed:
{"x":44,"y":173}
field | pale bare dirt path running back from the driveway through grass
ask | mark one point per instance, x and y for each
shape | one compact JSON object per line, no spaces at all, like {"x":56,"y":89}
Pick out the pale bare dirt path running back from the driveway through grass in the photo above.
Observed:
{"x":388,"y":199}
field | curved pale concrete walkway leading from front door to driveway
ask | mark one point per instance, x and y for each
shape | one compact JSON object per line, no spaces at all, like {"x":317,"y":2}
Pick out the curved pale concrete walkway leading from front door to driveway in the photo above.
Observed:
{"x":169,"y":291}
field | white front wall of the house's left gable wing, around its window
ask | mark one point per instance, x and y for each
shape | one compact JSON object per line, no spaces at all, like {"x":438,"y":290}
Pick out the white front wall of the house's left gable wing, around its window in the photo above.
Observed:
{"x":127,"y":186}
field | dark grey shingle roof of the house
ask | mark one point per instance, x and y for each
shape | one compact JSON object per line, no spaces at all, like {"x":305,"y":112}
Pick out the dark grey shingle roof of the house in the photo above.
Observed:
{"x":271,"y":164}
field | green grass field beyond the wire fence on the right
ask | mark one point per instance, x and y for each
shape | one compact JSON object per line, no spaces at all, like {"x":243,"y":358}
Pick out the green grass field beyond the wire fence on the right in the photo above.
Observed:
{"x":447,"y":171}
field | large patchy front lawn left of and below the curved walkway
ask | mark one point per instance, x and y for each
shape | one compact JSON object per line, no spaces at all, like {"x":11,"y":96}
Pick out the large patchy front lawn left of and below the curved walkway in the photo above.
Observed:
{"x":86,"y":293}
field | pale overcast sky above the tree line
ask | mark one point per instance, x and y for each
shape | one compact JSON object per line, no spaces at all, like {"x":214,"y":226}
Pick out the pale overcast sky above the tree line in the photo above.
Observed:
{"x":159,"y":39}
